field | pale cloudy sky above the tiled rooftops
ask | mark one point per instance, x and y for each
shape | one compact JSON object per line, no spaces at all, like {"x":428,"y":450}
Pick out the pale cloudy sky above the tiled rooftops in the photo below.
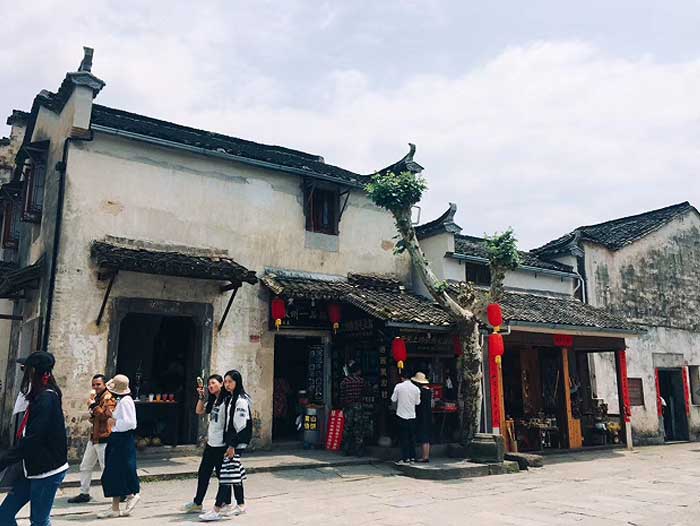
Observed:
{"x":540,"y":115}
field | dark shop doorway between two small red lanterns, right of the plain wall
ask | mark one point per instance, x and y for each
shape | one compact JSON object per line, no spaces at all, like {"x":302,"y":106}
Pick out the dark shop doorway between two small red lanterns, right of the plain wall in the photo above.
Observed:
{"x":299,"y":379}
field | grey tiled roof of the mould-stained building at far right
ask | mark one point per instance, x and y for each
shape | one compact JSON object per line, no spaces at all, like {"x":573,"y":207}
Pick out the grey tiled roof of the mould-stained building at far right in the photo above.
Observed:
{"x":618,"y":233}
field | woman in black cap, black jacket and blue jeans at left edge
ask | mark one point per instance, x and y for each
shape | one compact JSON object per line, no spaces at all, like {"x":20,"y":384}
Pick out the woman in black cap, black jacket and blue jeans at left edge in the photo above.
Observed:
{"x":42,"y":445}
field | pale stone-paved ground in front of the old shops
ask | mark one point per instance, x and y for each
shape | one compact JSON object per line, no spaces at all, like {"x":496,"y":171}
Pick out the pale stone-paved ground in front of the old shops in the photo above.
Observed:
{"x":649,"y":486}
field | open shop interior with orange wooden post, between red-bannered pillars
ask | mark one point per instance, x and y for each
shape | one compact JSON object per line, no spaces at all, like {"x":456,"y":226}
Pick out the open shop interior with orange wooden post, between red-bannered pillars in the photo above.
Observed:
{"x":548,"y":409}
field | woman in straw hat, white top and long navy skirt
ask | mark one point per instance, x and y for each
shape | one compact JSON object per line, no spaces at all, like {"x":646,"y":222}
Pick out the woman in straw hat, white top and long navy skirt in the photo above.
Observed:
{"x":119,"y":478}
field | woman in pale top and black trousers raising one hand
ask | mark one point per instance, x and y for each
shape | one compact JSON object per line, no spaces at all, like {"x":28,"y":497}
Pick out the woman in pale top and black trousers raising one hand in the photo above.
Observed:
{"x":214,"y":405}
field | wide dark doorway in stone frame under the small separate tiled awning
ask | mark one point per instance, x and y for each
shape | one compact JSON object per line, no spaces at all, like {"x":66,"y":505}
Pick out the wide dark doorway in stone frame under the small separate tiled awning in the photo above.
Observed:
{"x":160,"y":356}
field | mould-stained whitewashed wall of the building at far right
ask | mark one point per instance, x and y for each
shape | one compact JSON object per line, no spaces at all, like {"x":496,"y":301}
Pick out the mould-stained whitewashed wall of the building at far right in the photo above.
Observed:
{"x":655,"y":282}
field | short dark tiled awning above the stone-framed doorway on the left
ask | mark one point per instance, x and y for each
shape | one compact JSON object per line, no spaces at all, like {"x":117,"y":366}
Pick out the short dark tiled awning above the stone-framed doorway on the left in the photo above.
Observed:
{"x":185,"y":263}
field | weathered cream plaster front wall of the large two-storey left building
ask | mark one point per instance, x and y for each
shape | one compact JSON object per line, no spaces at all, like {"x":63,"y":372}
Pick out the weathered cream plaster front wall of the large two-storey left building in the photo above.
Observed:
{"x":133,"y":190}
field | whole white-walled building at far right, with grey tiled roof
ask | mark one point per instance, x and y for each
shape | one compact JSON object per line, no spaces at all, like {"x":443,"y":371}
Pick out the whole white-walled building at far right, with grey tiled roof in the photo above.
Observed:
{"x":646,"y":268}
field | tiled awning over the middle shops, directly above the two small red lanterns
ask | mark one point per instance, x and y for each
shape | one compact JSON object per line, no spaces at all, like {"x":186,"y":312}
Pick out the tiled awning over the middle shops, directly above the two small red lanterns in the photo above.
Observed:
{"x":379,"y":296}
